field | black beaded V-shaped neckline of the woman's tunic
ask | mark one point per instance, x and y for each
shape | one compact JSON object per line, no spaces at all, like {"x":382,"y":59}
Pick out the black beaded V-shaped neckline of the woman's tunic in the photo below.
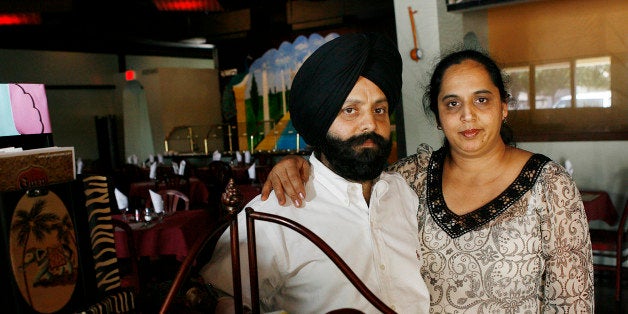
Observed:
{"x":456,"y":225}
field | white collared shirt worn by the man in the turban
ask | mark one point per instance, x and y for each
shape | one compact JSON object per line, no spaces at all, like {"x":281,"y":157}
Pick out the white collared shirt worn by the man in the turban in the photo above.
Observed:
{"x":377,"y":240}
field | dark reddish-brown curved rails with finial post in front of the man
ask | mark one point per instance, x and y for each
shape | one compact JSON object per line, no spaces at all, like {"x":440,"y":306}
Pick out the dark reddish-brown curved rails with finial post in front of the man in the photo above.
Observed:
{"x":232,"y":200}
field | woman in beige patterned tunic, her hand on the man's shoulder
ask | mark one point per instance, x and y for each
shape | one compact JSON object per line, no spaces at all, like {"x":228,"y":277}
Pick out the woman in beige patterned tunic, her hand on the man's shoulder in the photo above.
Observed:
{"x":502,"y":230}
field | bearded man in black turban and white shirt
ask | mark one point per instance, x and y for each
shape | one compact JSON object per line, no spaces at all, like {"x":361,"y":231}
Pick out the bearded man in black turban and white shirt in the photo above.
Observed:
{"x":340,"y":102}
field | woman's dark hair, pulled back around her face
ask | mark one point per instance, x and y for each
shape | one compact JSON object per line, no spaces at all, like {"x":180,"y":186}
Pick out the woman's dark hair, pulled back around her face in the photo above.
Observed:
{"x":430,"y":98}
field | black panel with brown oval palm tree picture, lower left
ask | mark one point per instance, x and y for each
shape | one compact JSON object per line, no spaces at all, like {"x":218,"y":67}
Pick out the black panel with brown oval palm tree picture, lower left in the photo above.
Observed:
{"x":42,"y":242}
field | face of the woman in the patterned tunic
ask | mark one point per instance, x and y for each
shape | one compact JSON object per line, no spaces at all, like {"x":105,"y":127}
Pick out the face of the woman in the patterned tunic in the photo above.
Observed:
{"x":470,"y":109}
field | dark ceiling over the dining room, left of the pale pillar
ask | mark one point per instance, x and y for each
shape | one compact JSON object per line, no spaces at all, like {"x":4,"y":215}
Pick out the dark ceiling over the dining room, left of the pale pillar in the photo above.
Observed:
{"x":250,"y":27}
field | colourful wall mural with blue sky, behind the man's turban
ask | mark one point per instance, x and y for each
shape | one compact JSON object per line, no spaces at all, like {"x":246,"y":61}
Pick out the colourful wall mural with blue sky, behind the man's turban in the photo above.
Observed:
{"x":260,"y":97}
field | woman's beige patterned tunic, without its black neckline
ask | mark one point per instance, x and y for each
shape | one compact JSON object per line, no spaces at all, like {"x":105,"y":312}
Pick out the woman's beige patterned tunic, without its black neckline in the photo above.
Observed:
{"x":527,"y":251}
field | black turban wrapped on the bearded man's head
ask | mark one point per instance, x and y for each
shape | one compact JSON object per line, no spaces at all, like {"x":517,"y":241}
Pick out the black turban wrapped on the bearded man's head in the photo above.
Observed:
{"x":326,"y":78}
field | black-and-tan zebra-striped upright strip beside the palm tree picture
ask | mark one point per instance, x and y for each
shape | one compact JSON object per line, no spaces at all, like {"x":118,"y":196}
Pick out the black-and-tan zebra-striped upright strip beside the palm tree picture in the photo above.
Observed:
{"x":112,"y":296}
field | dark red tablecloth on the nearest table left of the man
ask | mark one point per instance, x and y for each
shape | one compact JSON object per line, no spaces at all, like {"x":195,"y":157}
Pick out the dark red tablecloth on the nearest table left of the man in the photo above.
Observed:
{"x":175,"y":235}
